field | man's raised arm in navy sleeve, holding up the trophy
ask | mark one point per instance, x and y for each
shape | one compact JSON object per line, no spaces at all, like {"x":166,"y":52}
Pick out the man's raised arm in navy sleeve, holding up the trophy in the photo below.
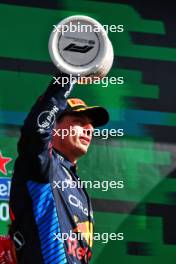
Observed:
{"x":36,"y":132}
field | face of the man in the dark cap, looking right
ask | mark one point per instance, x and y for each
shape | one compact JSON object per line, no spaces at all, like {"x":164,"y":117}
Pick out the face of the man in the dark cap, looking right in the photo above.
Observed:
{"x":79,"y":136}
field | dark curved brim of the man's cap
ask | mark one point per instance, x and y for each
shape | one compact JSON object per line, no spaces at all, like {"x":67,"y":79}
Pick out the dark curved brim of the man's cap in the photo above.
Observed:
{"x":97,"y":114}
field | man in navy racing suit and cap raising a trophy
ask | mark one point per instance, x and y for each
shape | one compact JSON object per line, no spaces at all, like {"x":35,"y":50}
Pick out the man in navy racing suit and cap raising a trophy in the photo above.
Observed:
{"x":41,"y":211}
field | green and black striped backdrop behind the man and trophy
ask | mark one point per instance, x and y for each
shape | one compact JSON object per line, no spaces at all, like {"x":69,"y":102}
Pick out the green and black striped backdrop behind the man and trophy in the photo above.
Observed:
{"x":145,"y":55}
